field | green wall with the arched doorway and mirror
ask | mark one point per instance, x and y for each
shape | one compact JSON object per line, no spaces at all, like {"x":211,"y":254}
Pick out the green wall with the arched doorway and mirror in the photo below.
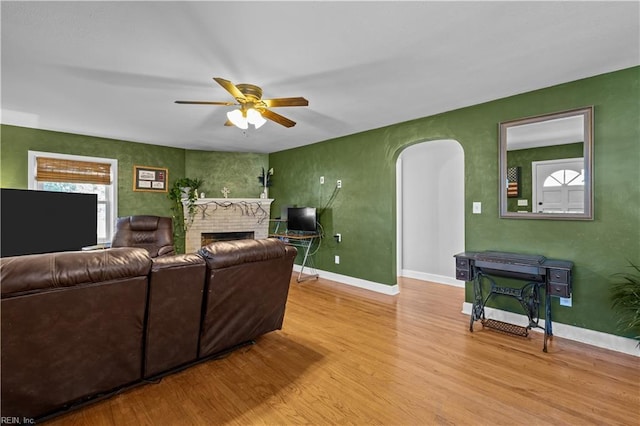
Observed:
{"x":364,"y":209}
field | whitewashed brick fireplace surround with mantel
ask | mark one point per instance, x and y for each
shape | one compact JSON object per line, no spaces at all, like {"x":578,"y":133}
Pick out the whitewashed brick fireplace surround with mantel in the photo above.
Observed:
{"x":215,"y":215}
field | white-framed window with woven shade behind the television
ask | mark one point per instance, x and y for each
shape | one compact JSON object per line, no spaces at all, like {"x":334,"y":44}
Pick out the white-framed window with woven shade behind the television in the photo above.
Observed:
{"x":74,"y":173}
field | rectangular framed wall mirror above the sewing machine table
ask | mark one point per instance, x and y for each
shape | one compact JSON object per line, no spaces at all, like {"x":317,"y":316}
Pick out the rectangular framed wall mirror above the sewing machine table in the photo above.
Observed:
{"x":546,"y":166}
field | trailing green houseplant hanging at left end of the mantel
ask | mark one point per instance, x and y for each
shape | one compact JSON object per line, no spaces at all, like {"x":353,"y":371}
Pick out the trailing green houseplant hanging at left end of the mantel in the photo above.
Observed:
{"x":183,"y":194}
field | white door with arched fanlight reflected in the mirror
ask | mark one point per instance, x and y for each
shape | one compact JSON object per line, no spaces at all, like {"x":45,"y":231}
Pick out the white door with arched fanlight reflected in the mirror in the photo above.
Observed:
{"x":558,"y":186}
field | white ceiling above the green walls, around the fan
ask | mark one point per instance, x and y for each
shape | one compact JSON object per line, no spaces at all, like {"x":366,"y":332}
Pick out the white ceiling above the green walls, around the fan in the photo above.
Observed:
{"x":114,"y":69}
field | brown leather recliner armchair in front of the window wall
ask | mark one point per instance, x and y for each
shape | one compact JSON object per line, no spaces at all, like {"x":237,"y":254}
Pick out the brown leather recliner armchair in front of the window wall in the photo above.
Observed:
{"x":153,"y":233}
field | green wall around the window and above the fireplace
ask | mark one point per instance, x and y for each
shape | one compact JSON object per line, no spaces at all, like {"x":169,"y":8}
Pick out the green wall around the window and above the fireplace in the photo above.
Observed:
{"x":237,"y":171}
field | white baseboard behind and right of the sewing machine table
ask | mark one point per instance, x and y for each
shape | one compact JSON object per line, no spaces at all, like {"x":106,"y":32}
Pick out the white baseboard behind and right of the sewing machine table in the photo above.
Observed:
{"x":583,"y":335}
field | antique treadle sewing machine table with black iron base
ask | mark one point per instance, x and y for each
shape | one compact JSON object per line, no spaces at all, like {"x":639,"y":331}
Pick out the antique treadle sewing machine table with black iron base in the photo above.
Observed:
{"x":539,"y":273}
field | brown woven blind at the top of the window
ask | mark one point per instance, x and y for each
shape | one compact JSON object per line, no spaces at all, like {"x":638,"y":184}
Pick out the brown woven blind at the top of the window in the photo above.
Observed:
{"x":59,"y":170}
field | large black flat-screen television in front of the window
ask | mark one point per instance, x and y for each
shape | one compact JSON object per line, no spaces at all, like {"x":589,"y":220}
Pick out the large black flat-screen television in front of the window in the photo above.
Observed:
{"x":34,"y":222}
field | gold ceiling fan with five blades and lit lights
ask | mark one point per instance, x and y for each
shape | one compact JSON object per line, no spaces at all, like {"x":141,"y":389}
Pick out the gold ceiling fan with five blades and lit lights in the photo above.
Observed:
{"x":252,"y":108}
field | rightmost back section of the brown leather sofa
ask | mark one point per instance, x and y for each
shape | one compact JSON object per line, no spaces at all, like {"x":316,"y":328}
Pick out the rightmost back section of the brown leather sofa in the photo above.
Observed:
{"x":245,"y":293}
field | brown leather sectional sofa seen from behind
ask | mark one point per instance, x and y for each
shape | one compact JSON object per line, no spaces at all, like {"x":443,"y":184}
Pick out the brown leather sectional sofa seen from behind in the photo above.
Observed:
{"x":77,"y":326}
